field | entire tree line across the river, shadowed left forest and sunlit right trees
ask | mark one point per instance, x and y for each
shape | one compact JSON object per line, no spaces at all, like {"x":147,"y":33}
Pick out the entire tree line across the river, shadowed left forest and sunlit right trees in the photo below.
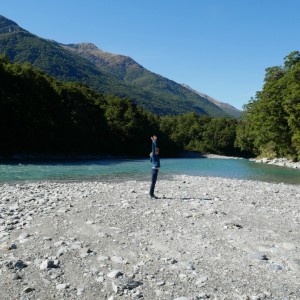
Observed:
{"x":42,"y":115}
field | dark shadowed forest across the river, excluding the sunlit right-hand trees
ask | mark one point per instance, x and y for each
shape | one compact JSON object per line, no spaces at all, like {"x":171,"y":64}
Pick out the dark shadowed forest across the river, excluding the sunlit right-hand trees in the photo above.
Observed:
{"x":42,"y":115}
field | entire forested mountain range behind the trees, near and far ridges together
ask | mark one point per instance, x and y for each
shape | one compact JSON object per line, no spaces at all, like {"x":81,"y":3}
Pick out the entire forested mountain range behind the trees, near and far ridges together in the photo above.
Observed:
{"x":106,"y":73}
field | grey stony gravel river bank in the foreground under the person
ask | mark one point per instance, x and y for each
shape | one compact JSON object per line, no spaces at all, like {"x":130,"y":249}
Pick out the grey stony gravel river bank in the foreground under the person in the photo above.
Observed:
{"x":205,"y":238}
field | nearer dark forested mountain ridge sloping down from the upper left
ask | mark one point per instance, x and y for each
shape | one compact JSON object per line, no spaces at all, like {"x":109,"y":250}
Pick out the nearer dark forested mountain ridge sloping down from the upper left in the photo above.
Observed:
{"x":23,"y":47}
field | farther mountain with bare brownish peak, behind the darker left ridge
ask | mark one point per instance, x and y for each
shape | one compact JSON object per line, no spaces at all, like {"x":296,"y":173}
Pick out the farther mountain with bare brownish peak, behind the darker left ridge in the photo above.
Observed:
{"x":128,"y":70}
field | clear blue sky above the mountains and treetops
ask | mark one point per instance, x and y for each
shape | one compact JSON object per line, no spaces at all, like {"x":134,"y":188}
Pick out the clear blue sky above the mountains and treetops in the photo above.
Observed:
{"x":218,"y":47}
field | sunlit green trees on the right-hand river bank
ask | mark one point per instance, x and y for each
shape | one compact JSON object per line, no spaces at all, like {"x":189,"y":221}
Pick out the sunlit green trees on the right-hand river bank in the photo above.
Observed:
{"x":270,"y":125}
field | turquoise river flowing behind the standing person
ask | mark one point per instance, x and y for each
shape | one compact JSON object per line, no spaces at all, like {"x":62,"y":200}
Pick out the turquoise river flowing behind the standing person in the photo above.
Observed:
{"x":140,"y":169}
